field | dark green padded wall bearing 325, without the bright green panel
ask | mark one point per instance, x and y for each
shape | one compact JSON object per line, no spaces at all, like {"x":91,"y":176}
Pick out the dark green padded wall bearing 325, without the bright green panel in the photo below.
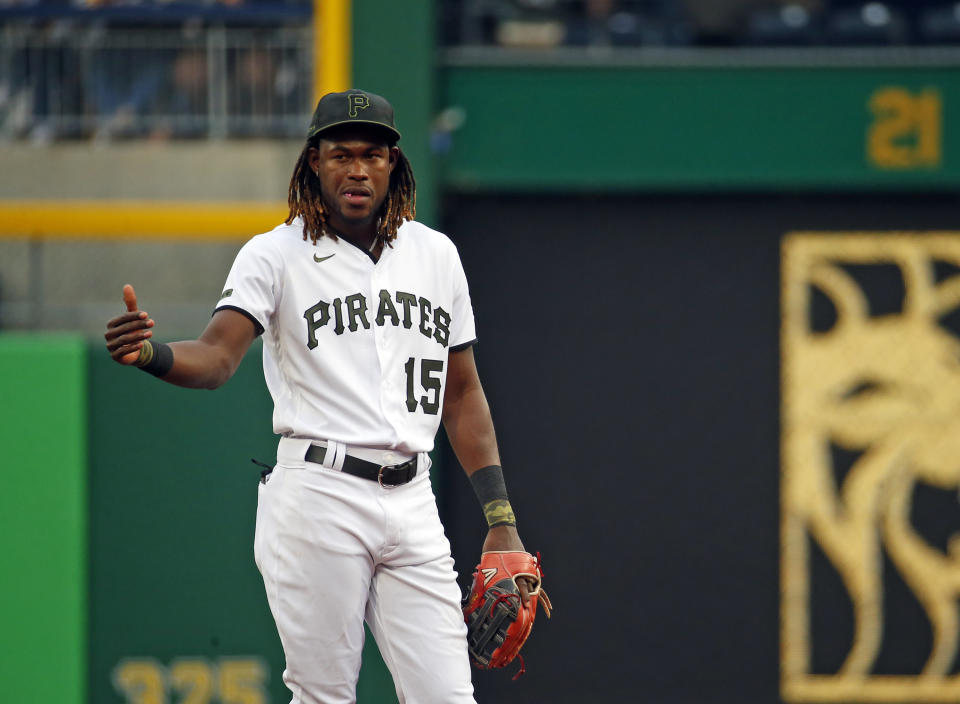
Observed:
{"x":177,"y":603}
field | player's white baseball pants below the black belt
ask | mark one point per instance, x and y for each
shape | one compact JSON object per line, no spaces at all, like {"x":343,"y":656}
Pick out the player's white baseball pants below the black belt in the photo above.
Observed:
{"x":336,"y":550}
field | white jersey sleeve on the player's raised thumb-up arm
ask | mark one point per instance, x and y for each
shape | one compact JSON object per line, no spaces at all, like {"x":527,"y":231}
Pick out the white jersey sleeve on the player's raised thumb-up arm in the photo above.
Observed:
{"x":253,"y":284}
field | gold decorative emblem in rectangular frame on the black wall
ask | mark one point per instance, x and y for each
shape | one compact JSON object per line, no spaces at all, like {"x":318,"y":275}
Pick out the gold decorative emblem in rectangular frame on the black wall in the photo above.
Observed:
{"x":883,"y":389}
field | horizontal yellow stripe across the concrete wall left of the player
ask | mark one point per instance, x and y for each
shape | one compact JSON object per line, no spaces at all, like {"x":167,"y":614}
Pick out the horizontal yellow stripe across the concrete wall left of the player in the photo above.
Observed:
{"x":128,"y":219}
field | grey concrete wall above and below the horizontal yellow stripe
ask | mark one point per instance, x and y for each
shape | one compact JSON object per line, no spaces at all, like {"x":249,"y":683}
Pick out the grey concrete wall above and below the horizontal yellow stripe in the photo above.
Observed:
{"x":69,"y":284}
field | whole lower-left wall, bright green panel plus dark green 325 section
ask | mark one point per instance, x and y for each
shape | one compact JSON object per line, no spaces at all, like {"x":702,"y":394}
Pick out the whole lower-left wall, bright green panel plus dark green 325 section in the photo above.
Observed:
{"x":126,"y":525}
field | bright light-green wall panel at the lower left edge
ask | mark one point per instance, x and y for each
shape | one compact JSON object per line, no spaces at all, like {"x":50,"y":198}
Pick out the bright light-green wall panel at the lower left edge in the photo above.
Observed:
{"x":43,"y":519}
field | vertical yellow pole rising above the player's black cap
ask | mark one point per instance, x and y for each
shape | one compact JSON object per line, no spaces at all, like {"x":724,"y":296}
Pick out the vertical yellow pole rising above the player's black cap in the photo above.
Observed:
{"x":332,"y":46}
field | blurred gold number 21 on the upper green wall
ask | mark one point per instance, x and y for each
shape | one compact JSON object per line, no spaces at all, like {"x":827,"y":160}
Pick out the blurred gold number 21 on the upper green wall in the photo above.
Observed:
{"x":906,"y":132}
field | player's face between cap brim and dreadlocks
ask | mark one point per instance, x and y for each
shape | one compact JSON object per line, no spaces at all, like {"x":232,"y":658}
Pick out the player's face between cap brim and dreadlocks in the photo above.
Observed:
{"x":354,"y":171}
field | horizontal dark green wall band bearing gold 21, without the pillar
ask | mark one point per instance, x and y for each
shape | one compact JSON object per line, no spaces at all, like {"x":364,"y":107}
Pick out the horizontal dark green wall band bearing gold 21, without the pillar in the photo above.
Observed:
{"x":587,"y":125}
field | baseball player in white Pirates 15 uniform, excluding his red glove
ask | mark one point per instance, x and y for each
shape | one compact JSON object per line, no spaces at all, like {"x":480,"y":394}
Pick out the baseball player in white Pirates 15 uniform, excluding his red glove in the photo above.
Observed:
{"x":368,"y":338}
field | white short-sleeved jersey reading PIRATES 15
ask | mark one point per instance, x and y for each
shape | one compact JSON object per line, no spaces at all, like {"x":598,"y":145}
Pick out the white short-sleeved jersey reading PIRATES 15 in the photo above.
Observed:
{"x":354,"y":351}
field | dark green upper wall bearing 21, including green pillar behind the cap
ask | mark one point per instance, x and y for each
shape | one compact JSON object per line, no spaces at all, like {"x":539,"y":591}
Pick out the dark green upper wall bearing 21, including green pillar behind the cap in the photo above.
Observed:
{"x":487,"y":119}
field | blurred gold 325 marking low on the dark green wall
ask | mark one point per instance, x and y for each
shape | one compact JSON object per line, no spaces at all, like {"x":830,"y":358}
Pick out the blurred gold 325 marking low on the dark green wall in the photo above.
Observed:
{"x":234,"y":680}
